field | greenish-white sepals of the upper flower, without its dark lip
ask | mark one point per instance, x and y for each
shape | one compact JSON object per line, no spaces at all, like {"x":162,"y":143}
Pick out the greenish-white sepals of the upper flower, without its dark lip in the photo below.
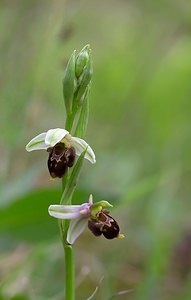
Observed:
{"x":47,"y":140}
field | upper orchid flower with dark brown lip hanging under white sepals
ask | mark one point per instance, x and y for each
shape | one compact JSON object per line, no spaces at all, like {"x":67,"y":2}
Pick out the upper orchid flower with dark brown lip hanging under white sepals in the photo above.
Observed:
{"x":62,"y":148}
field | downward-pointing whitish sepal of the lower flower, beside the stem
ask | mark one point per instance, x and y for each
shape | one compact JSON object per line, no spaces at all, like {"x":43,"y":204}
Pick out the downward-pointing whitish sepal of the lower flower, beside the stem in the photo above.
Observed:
{"x":76,"y":228}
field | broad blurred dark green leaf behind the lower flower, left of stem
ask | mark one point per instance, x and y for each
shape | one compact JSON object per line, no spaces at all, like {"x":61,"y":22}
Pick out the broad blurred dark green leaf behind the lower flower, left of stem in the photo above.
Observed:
{"x":27,"y":218}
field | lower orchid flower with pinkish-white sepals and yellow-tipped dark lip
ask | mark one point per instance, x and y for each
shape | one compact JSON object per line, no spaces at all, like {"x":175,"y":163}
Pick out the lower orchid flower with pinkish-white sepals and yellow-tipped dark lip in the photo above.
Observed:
{"x":88,"y":214}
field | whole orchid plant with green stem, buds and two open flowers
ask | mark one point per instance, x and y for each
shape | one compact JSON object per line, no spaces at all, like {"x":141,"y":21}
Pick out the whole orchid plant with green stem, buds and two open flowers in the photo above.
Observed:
{"x":65,"y":158}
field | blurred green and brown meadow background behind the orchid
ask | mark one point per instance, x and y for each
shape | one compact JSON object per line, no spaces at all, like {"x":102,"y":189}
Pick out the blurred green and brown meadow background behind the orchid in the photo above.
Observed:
{"x":139,"y":128}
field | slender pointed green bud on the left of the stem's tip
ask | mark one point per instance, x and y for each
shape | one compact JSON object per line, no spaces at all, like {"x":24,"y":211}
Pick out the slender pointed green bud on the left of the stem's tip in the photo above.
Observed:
{"x":69,"y":83}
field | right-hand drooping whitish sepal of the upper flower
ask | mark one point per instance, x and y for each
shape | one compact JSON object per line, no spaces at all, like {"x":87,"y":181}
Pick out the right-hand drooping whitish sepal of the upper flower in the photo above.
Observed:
{"x":80,"y":145}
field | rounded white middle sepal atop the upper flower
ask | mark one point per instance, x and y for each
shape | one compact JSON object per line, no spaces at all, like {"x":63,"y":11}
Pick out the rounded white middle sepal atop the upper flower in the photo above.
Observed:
{"x":54,"y":136}
